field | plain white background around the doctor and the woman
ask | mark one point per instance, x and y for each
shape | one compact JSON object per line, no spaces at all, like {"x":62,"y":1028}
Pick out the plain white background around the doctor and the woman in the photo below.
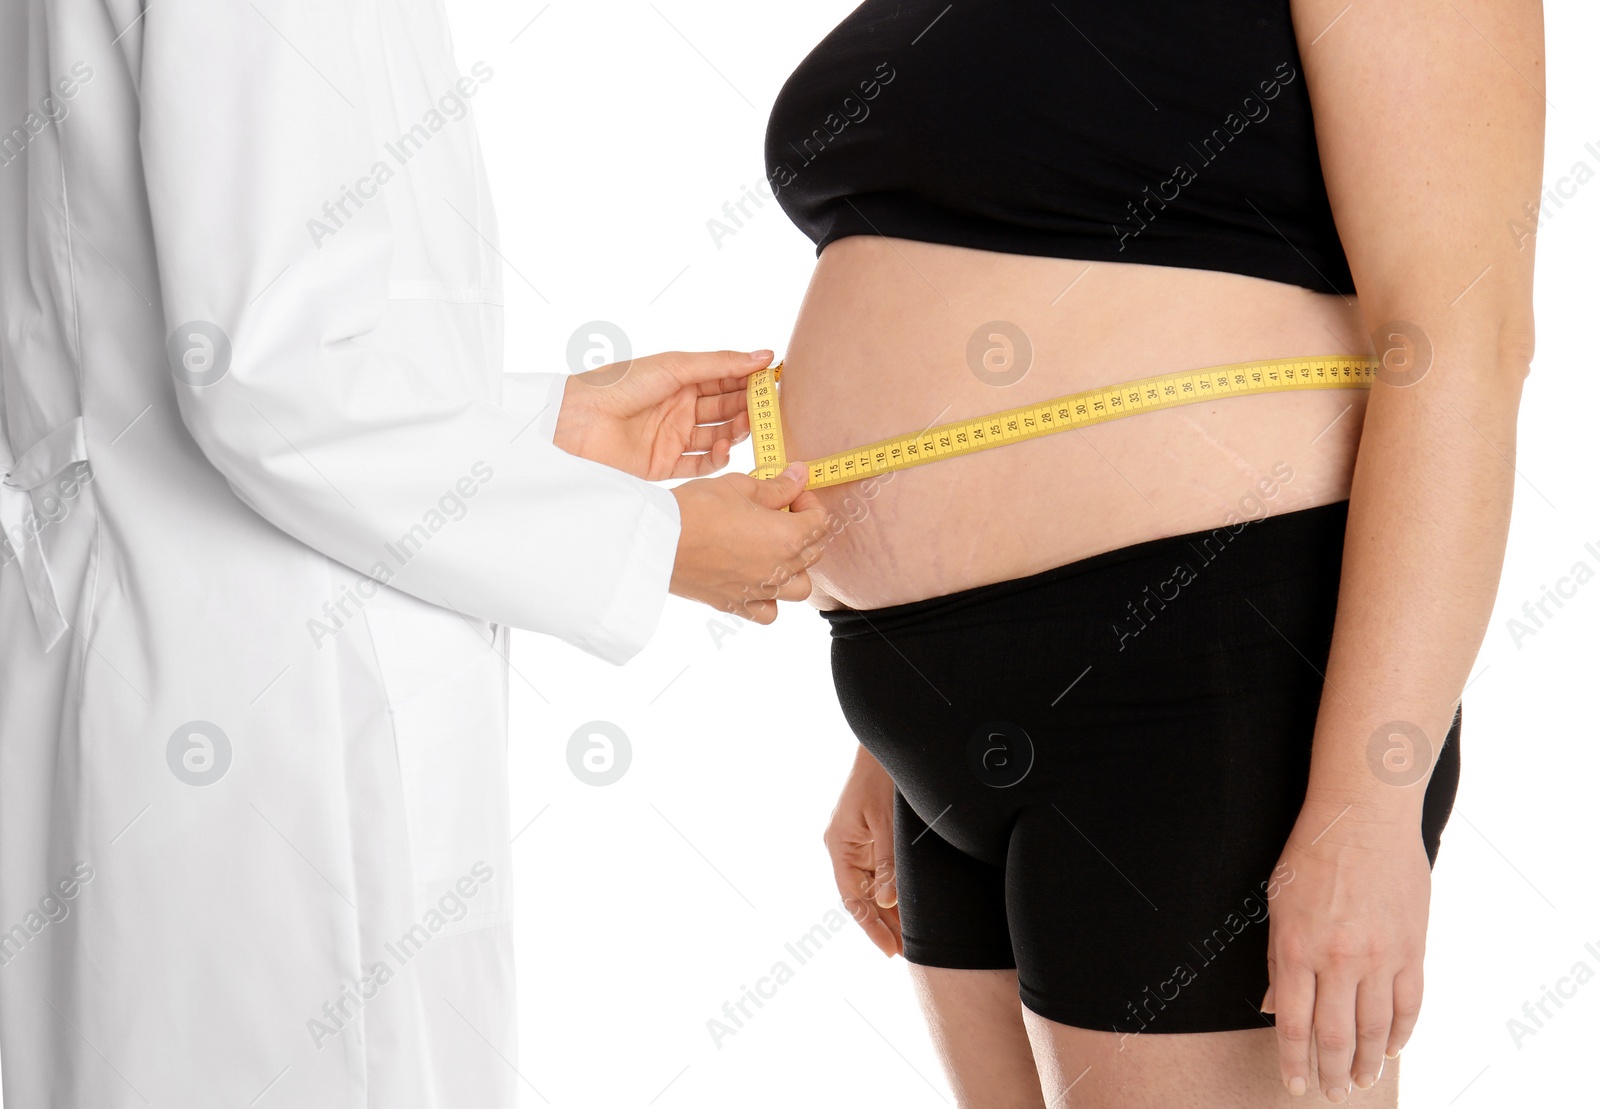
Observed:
{"x":614,"y":134}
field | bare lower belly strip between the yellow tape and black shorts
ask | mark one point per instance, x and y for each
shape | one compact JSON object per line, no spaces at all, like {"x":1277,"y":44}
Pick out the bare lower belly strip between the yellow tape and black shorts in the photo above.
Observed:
{"x":1023,"y":510}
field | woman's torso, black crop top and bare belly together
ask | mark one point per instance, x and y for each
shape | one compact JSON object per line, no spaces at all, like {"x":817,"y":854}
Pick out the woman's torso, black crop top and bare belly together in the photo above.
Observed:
{"x":1124,"y":194}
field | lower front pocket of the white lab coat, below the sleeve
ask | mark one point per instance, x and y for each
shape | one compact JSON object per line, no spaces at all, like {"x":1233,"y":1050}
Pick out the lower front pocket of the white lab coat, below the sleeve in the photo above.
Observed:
{"x":446,"y":686}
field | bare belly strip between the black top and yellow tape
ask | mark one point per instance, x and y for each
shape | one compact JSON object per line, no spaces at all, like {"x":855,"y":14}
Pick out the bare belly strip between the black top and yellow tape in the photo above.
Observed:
{"x":900,"y":337}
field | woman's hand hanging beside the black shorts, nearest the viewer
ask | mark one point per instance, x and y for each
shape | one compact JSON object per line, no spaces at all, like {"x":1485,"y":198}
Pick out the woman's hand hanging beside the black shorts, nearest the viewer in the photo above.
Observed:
{"x":1345,"y":947}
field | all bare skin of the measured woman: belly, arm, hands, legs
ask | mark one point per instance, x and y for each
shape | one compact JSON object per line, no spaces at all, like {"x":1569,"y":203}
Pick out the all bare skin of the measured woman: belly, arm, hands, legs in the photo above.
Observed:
{"x":1430,"y":122}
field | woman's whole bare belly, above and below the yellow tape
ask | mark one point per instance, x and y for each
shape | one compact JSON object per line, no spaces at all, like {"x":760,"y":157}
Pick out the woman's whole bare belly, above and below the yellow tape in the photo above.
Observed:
{"x":884,"y":345}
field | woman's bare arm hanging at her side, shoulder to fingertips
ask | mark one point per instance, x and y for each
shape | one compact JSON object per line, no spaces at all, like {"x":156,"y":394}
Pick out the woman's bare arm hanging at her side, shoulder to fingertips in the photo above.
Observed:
{"x":1431,"y":127}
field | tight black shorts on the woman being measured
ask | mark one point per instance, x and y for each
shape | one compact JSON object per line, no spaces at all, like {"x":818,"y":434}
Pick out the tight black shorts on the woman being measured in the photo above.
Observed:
{"x":1097,"y":767}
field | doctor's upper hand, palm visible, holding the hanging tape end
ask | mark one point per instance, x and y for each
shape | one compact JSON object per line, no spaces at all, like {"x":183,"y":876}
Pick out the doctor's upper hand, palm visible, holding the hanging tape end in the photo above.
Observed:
{"x":663,"y":415}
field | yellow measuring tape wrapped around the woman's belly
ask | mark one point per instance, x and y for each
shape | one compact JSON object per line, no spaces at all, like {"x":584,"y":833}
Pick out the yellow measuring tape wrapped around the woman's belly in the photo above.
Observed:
{"x":1047,"y":417}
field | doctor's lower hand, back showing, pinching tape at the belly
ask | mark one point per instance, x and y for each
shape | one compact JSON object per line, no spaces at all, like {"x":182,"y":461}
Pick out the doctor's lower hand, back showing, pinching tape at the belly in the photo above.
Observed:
{"x":738,"y":551}
